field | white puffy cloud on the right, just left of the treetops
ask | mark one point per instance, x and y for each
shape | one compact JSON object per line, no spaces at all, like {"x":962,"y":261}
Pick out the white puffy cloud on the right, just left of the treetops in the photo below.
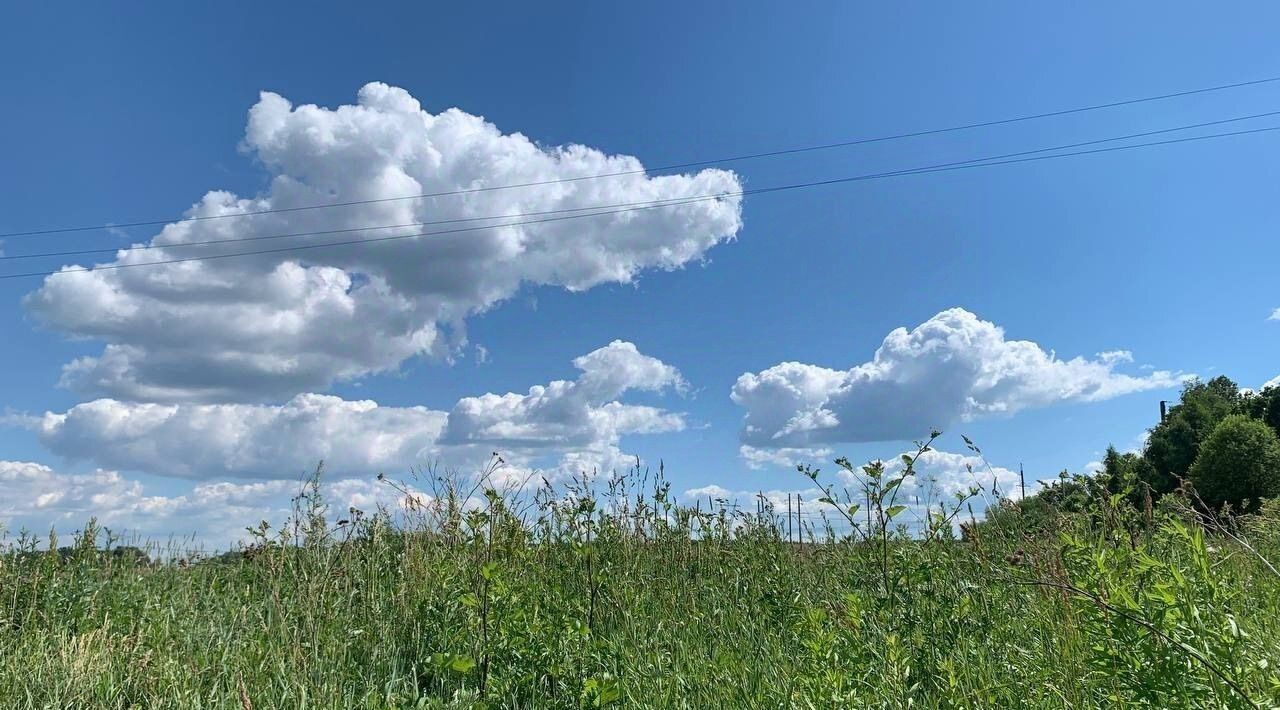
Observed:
{"x":949,"y":369}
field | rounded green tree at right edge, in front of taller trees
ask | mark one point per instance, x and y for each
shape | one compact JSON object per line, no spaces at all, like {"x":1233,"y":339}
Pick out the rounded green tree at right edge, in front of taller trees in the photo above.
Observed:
{"x":1240,"y":461}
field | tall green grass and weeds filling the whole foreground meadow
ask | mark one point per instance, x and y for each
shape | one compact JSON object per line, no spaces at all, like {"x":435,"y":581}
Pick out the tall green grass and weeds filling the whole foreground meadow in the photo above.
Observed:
{"x":586,"y":601}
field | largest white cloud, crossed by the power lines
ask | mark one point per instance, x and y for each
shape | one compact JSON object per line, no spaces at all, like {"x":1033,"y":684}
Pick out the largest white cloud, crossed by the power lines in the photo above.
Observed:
{"x":269,"y":327}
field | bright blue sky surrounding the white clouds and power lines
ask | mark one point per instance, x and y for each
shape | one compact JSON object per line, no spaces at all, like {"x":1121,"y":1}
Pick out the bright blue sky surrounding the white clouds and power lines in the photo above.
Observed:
{"x":135,"y":113}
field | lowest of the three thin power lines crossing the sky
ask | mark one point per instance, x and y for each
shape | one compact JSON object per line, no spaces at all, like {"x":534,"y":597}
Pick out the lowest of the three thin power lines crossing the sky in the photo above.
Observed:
{"x":657,"y":205}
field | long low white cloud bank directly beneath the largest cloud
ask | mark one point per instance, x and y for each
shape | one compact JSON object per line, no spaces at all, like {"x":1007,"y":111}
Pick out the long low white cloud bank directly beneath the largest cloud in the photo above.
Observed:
{"x":565,"y":427}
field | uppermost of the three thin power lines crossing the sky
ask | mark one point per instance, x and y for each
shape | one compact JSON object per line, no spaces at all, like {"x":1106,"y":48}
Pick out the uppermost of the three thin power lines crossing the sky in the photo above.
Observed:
{"x":661,"y":168}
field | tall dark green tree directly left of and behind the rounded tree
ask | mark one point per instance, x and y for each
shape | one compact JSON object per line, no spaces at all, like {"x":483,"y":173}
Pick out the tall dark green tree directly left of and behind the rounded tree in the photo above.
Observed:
{"x":1176,"y":442}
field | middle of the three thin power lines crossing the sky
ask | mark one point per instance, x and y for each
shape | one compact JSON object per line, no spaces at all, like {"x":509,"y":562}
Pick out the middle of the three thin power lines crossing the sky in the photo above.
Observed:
{"x":644,"y":204}
